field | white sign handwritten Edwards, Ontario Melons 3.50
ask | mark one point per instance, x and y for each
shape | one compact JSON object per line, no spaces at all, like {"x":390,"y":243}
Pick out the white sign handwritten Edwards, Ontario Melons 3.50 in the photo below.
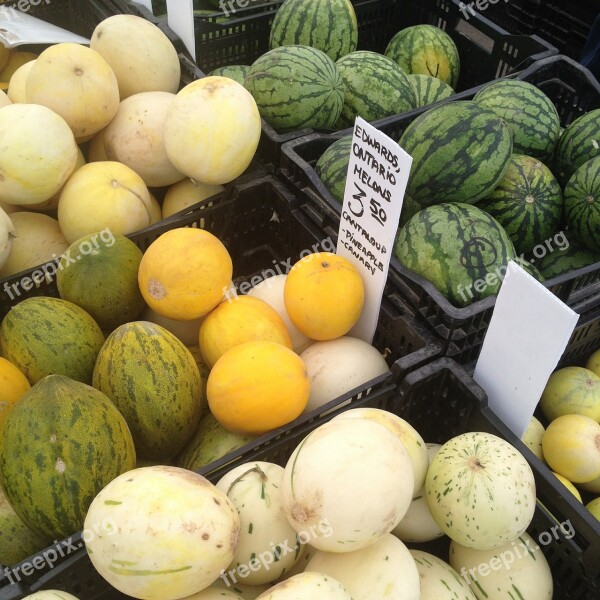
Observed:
{"x":377,"y":176}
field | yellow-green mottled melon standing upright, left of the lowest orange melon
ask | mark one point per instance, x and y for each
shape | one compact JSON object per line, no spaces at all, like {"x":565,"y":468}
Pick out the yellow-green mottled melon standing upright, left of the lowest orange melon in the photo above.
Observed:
{"x":154,"y":381}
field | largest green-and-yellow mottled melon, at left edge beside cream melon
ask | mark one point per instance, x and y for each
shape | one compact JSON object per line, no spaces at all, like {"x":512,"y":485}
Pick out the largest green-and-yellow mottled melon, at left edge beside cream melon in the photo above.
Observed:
{"x":61,"y":444}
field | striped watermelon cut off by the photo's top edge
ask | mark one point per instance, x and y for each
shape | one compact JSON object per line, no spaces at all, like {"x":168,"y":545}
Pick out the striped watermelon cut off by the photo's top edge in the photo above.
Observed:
{"x":328,"y":25}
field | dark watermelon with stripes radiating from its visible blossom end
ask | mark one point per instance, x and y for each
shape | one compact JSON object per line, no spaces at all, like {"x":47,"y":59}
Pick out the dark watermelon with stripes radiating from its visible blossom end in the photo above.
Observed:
{"x":527,"y":202}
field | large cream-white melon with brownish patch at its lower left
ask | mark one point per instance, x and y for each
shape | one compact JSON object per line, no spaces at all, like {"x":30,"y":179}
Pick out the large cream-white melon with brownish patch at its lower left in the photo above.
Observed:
{"x":347,"y":483}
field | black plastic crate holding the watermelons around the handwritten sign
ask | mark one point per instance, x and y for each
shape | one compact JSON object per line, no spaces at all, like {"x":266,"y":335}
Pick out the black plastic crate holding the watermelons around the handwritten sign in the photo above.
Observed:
{"x":574,"y":91}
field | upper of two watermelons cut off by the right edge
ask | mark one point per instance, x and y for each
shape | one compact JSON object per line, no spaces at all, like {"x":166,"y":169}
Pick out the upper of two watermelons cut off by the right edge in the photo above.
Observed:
{"x":579,"y":143}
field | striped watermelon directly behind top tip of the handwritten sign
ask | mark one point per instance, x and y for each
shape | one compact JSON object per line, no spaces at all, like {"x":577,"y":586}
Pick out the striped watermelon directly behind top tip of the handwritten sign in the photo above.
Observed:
{"x":375,"y":87}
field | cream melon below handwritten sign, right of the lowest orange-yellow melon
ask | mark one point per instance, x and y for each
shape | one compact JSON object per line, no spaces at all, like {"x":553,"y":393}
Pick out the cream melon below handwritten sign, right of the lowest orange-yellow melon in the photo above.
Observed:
{"x":337,"y":366}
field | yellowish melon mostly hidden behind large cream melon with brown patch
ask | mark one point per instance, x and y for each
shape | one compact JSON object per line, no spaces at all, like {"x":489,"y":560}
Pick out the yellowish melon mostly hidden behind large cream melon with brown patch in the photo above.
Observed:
{"x":406,"y":433}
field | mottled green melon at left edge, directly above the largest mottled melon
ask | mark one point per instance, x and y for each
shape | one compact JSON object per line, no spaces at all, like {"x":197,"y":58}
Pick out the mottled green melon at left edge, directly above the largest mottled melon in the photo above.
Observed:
{"x":44,"y":336}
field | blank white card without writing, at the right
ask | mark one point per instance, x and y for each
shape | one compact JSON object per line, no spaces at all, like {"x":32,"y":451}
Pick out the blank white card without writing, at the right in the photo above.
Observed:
{"x":528,"y":333}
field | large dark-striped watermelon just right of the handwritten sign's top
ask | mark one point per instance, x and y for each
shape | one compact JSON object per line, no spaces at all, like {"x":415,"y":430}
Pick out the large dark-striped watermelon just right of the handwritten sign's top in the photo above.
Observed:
{"x":460,"y":151}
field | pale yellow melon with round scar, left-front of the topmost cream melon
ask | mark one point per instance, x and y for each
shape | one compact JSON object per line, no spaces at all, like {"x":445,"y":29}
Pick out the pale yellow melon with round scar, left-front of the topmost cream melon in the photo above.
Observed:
{"x":78,"y":84}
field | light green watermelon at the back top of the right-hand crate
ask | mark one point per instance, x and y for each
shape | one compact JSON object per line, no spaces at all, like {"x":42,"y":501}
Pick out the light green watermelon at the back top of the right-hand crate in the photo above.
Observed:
{"x":530,"y":115}
